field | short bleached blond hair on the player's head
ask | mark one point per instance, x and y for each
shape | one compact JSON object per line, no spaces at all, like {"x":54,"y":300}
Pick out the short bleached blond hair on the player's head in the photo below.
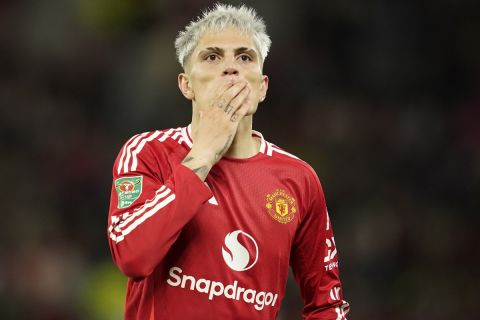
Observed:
{"x":220,"y":17}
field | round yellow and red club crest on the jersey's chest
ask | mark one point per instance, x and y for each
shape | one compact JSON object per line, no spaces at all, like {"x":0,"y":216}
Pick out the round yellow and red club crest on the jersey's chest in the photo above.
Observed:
{"x":281,"y":206}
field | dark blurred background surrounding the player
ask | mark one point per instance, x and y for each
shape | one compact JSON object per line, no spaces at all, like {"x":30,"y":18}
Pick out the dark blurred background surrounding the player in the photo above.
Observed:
{"x":382,"y":98}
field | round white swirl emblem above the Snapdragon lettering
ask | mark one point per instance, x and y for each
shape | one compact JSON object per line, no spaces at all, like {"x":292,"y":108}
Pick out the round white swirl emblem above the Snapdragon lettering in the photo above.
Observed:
{"x":235,"y":254}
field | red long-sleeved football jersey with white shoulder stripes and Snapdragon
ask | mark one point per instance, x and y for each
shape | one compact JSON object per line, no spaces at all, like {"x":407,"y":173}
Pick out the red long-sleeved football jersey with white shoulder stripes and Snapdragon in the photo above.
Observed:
{"x":219,"y":249}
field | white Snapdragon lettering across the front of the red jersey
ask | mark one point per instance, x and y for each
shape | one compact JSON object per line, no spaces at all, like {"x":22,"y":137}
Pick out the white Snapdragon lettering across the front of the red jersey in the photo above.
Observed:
{"x":213,"y":289}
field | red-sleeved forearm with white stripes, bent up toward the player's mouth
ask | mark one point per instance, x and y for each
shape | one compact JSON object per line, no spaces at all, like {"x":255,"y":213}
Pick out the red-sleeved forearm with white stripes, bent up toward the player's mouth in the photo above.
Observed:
{"x":141,"y":236}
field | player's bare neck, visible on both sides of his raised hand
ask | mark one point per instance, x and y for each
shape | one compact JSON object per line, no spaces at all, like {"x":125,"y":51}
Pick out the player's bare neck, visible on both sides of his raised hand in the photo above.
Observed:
{"x":244,"y":145}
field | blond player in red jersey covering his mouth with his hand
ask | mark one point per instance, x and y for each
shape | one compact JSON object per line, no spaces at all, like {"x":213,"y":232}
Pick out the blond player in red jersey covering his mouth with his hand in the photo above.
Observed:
{"x":206,"y":219}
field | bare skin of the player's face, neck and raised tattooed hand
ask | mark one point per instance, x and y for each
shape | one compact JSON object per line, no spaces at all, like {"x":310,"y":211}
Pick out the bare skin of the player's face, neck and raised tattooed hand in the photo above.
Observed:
{"x":224,"y":81}
